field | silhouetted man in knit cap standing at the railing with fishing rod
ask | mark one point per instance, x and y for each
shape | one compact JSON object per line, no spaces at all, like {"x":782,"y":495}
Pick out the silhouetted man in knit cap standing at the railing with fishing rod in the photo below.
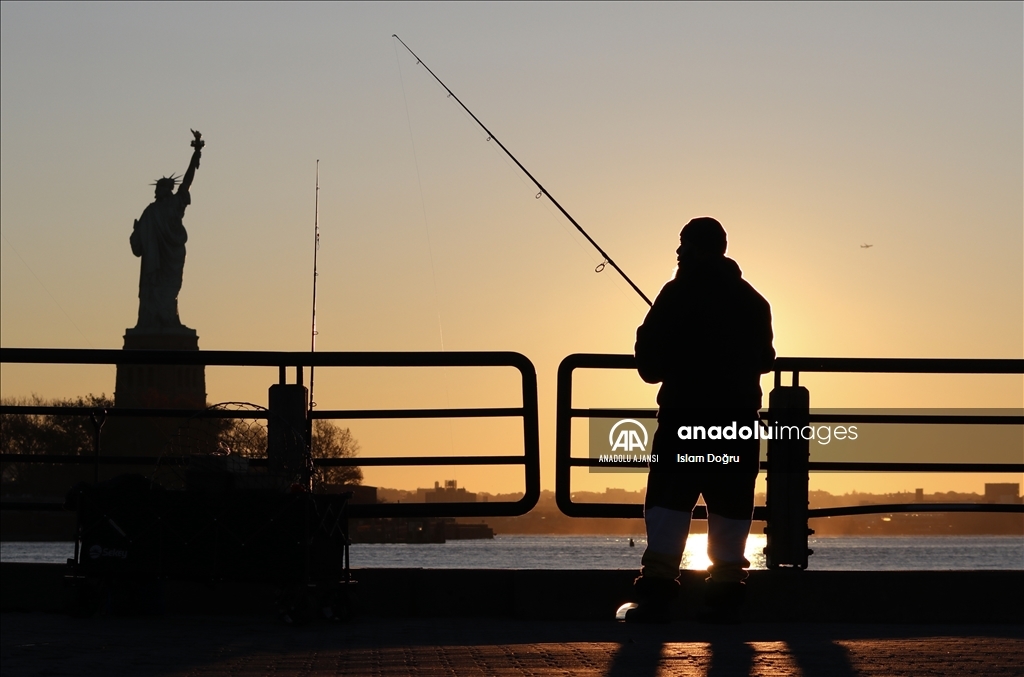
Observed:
{"x":707,"y":340}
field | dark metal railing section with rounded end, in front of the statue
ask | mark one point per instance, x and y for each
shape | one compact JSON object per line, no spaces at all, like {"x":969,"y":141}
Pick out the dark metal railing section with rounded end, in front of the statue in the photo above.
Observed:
{"x":530,"y":460}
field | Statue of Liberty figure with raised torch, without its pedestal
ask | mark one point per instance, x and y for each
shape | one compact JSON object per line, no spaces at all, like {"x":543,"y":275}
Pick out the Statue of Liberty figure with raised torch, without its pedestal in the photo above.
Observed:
{"x":159,"y":238}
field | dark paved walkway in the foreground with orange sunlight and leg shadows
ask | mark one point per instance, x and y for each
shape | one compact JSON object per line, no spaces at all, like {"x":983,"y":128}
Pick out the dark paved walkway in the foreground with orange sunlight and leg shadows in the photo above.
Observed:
{"x":52,"y":646}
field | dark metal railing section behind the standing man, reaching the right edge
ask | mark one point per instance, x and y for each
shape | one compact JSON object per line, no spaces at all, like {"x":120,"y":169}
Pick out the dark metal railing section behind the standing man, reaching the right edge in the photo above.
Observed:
{"x":566,"y":462}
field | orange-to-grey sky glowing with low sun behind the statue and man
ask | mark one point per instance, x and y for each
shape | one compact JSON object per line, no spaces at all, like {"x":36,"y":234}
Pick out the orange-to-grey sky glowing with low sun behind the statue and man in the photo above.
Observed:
{"x":806,"y":130}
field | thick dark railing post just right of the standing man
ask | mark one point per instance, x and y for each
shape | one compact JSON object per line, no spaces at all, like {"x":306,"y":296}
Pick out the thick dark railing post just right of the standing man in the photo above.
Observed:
{"x":789,"y":453}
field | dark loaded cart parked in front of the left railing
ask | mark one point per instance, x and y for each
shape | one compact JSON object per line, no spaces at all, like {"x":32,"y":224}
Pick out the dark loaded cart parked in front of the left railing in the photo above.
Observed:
{"x":135,"y":534}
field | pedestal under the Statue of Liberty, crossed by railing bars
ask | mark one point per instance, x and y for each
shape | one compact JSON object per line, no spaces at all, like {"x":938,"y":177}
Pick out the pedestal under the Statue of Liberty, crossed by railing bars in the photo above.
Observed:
{"x":153,"y":387}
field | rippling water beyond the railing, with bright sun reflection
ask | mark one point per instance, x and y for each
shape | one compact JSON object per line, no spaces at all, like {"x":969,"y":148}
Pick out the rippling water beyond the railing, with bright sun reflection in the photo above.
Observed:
{"x":601,"y":553}
